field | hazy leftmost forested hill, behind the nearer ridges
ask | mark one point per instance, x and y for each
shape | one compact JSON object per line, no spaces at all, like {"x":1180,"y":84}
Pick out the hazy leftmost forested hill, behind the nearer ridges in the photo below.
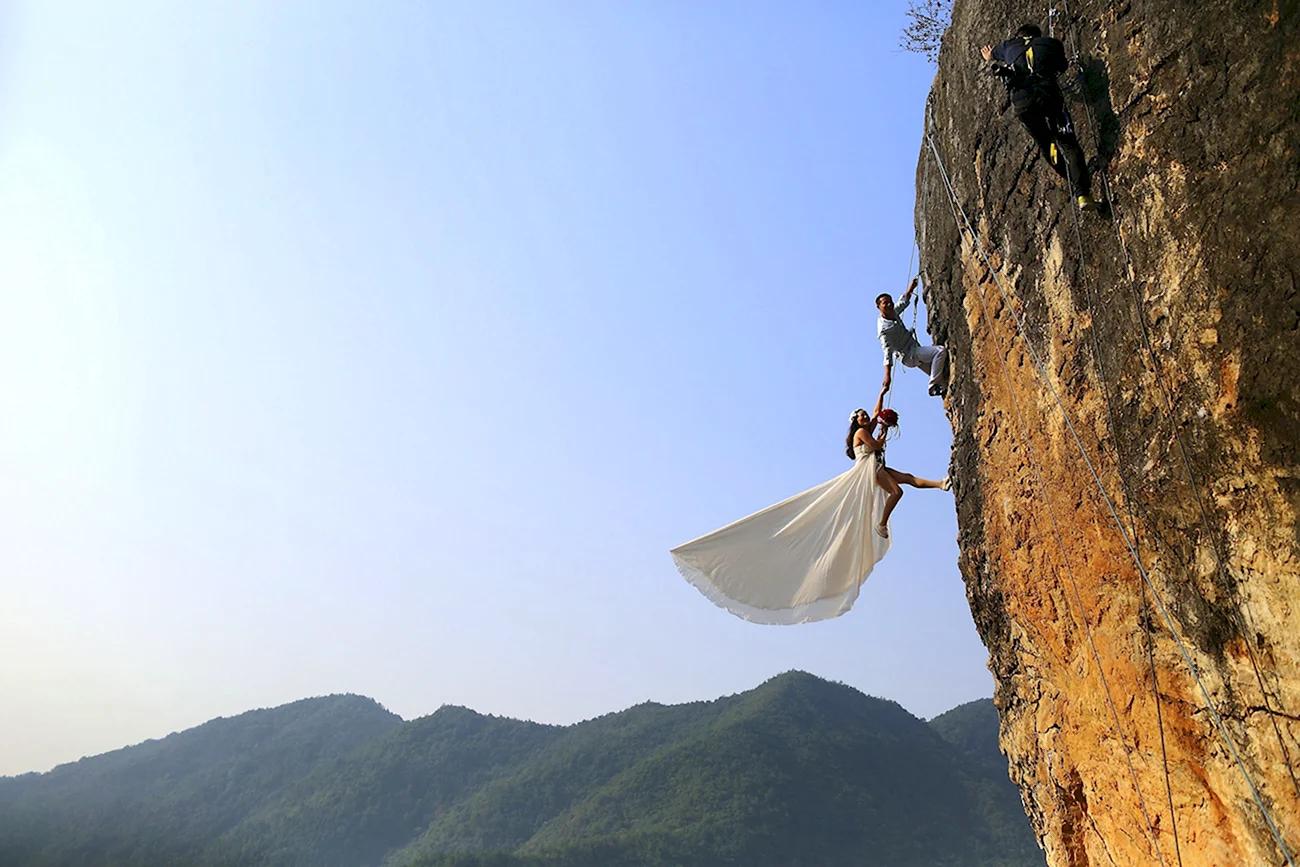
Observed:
{"x":166,"y":801}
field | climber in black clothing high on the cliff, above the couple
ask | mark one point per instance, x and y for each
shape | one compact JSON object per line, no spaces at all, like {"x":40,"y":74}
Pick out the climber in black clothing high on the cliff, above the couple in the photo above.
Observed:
{"x":1029,"y":66}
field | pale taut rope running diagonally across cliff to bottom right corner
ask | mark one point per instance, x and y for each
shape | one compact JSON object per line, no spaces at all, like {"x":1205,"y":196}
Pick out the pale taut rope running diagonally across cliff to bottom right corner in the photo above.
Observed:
{"x":1041,"y":370}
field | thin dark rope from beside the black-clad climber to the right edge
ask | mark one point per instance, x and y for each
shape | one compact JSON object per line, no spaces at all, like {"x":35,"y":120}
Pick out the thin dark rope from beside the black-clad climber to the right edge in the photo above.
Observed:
{"x":1155,"y":365}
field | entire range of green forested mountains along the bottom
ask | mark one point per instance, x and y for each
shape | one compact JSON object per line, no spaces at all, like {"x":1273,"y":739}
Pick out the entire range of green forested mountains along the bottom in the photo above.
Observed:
{"x":798,"y":771}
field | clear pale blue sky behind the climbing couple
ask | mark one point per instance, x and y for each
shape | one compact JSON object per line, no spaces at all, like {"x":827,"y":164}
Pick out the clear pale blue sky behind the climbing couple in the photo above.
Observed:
{"x":387,"y":349}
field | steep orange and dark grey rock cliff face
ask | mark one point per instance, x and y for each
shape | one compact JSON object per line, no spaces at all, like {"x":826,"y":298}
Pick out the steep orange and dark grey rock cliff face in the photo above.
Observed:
{"x":1169,"y":337}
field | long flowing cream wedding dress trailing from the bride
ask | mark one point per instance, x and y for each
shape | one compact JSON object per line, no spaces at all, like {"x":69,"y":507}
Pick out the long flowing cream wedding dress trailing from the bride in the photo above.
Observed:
{"x":803,"y":560}
